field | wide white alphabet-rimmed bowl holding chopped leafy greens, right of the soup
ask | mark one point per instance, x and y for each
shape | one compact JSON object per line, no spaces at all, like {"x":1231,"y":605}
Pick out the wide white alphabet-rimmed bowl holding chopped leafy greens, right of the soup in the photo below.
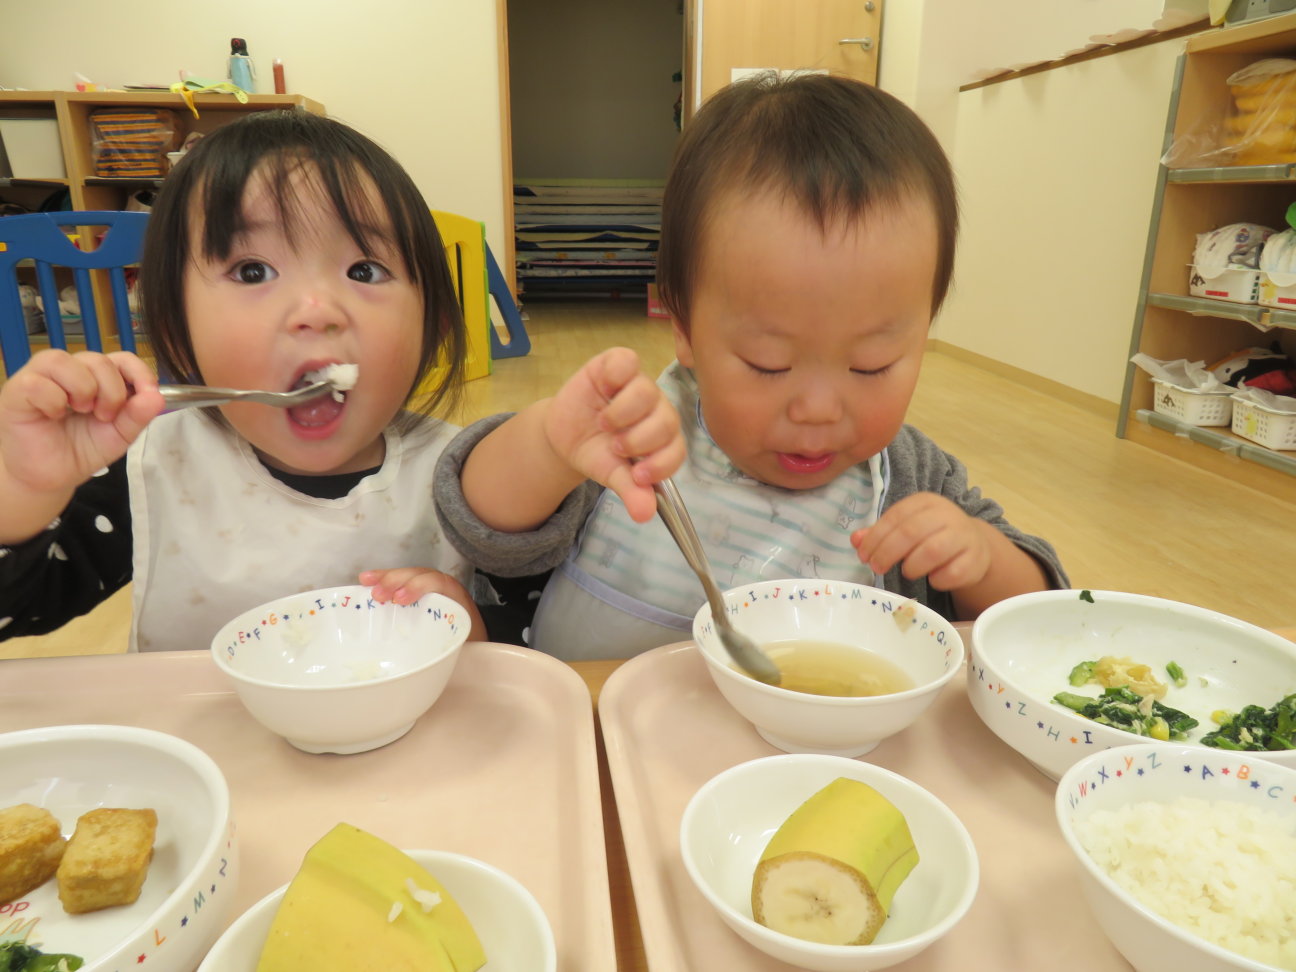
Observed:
{"x":1024,"y":649}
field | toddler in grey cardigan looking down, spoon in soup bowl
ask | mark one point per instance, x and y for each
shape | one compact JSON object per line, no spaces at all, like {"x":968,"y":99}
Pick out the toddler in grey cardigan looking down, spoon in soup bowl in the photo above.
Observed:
{"x":809,"y":229}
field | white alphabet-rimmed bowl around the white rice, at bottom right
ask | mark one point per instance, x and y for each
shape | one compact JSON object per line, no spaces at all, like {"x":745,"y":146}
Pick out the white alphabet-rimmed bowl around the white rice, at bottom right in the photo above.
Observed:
{"x":1162,"y":773}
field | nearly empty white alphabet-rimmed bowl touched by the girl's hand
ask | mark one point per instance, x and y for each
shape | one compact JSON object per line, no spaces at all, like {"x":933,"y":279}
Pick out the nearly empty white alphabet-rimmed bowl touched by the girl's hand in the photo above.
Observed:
{"x":335,"y":672}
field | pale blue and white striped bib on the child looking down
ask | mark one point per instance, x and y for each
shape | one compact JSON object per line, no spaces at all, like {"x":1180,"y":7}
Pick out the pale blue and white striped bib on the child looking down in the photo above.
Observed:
{"x":751,"y":531}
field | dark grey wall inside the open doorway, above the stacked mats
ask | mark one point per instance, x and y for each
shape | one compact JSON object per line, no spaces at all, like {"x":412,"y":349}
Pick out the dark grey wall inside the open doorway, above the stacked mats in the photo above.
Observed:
{"x":592,"y":87}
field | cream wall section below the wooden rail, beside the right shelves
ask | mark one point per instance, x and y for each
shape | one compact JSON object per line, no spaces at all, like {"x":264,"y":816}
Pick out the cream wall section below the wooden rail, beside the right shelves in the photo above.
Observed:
{"x":1057,"y":173}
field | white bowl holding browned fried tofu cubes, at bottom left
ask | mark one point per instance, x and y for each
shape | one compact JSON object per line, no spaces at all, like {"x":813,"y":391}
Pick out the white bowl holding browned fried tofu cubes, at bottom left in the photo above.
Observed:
{"x":191,"y":885}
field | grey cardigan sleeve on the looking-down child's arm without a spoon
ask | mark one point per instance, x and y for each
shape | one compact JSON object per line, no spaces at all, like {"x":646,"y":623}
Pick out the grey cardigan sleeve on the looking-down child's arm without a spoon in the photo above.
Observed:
{"x":921,"y":466}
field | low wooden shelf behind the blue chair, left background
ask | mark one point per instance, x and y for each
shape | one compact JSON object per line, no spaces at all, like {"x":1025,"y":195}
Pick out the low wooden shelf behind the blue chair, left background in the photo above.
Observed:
{"x":90,"y":192}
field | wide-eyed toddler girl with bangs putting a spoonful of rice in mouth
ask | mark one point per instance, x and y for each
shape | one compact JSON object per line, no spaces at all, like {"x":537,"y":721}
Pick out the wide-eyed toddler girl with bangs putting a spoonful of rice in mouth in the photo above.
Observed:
{"x":281,"y":246}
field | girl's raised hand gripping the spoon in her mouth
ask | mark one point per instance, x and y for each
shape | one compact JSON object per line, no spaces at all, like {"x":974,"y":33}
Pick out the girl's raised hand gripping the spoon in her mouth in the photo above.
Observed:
{"x":65,"y":417}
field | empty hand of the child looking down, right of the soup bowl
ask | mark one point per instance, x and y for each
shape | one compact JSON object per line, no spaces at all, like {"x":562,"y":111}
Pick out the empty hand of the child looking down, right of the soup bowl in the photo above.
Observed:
{"x":956,"y":553}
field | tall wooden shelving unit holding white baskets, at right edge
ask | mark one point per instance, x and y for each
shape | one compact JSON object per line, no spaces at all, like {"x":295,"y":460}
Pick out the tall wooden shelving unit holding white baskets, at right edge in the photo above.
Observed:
{"x":1168,"y":323}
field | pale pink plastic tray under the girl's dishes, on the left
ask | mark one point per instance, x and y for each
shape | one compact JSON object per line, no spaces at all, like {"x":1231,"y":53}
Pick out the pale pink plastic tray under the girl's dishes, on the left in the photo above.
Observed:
{"x":502,"y":769}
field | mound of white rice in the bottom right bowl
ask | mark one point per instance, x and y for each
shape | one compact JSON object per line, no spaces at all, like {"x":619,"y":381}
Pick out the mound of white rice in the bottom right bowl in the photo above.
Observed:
{"x":1223,"y":872}
